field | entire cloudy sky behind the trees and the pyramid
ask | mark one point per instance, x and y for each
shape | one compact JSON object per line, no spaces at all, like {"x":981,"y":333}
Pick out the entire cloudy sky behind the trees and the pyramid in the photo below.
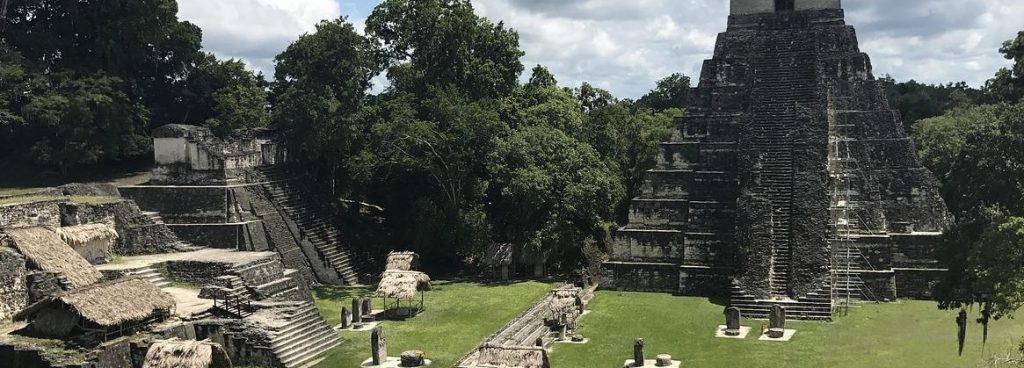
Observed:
{"x":625,"y":47}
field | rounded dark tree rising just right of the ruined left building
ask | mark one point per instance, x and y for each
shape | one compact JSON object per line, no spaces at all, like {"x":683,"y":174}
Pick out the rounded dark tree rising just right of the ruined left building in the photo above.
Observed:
{"x":321,"y":83}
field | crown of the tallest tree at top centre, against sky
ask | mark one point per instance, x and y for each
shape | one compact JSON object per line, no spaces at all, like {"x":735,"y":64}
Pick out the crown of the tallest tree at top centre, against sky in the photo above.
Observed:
{"x":443,"y":43}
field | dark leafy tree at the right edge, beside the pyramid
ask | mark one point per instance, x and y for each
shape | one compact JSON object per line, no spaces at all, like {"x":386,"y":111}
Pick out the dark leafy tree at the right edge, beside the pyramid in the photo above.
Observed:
{"x":984,"y":190}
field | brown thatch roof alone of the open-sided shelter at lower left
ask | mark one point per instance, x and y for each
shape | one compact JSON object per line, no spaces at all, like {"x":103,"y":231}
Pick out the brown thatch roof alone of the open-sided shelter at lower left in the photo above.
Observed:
{"x":112,"y":304}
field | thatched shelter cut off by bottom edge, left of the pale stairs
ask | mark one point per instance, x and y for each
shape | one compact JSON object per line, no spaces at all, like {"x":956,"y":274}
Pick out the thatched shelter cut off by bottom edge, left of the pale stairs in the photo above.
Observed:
{"x":187,"y":354}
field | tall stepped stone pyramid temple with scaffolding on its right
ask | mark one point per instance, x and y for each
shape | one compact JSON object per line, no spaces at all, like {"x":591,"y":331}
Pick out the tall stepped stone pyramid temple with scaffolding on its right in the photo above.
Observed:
{"x":790,"y":182}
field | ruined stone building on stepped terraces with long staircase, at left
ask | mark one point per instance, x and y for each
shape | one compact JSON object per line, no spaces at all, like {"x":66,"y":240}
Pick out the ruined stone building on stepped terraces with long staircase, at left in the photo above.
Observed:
{"x":236,"y":194}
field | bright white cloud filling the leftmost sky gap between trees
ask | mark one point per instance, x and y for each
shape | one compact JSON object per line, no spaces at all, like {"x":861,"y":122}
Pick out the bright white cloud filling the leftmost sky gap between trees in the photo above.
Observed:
{"x":255,"y":30}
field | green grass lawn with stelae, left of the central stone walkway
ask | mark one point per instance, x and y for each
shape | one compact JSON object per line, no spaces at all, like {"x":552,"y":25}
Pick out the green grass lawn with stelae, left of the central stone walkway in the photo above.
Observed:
{"x":458,"y":316}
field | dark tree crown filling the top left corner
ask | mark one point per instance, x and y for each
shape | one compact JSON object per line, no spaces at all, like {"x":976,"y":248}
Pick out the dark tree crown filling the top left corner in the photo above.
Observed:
{"x":140,"y":42}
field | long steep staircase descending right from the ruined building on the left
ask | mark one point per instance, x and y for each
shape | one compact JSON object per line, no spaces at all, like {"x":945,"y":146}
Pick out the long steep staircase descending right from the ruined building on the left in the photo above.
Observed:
{"x":316,"y":220}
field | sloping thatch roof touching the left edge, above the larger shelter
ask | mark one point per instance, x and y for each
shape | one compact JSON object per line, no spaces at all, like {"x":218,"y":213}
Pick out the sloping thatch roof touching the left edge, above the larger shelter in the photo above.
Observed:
{"x":49,"y":253}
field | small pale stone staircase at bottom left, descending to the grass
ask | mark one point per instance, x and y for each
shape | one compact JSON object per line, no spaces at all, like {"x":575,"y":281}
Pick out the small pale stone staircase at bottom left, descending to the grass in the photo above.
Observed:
{"x":304,"y":338}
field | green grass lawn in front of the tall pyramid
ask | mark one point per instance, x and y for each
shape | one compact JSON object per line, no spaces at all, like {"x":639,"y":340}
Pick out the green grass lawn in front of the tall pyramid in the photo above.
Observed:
{"x":907,"y":335}
